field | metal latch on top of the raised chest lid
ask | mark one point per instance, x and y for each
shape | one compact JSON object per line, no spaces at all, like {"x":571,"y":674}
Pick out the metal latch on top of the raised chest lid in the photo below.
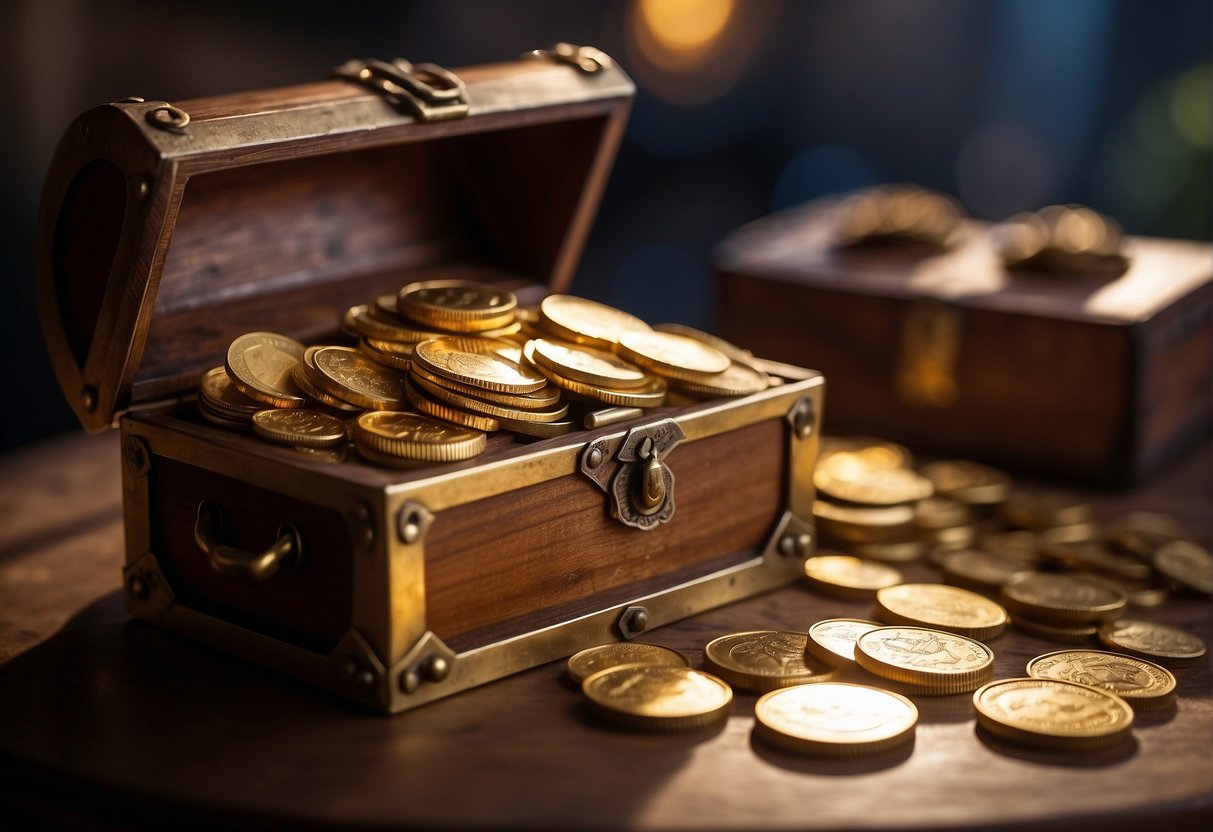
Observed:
{"x":431,"y":93}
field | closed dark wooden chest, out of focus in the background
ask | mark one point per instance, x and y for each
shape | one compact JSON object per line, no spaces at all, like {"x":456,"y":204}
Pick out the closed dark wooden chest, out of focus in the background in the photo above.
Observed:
{"x":1092,"y":378}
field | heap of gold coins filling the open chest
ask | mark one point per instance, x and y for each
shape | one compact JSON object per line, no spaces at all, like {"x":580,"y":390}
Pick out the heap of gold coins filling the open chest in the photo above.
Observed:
{"x":443,"y":363}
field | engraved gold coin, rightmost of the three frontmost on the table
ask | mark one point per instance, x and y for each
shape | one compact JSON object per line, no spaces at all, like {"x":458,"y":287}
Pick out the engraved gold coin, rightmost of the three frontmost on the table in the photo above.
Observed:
{"x":1052,"y":714}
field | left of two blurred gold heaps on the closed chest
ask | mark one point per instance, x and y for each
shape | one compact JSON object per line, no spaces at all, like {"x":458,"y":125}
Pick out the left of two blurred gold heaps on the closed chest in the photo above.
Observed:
{"x":898,"y":215}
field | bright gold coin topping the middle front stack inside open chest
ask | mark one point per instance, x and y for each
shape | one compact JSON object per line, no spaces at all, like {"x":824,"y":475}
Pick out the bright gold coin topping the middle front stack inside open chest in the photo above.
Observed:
{"x":487,"y":363}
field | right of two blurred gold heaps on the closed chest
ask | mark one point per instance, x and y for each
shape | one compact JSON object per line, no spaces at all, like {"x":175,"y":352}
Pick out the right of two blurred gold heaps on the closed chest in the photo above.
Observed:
{"x":1070,"y":240}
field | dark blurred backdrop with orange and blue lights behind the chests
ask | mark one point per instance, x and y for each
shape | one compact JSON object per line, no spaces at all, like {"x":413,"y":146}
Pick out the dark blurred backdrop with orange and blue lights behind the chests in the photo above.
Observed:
{"x":743,"y":109}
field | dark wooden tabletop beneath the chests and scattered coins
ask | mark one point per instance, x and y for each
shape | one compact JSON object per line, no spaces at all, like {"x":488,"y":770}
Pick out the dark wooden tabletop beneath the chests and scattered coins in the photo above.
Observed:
{"x":111,"y":723}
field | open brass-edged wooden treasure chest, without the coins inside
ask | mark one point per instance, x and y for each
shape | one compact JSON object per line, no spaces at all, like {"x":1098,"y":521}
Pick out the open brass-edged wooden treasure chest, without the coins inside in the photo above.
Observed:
{"x":167,"y":231}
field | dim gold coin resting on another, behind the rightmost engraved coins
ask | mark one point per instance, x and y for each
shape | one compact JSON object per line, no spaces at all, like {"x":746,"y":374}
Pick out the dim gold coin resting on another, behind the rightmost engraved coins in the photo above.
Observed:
{"x":1063,"y":599}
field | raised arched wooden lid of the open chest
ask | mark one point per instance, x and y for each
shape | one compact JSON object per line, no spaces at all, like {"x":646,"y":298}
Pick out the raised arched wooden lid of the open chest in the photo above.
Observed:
{"x":167,"y":231}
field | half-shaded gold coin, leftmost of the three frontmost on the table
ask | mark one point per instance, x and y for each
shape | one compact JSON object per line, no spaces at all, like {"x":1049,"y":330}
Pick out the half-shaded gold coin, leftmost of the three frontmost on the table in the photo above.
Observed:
{"x":662,"y":699}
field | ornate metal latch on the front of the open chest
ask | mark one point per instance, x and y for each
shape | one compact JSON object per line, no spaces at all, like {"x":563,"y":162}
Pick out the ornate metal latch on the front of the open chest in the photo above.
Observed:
{"x":633,"y":471}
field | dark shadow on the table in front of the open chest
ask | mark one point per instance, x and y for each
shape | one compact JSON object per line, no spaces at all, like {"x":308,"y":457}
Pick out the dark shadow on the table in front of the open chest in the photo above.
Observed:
{"x":121,"y":715}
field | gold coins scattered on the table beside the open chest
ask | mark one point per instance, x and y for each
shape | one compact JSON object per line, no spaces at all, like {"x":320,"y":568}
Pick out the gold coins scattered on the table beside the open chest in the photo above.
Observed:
{"x":1030,"y":560}
